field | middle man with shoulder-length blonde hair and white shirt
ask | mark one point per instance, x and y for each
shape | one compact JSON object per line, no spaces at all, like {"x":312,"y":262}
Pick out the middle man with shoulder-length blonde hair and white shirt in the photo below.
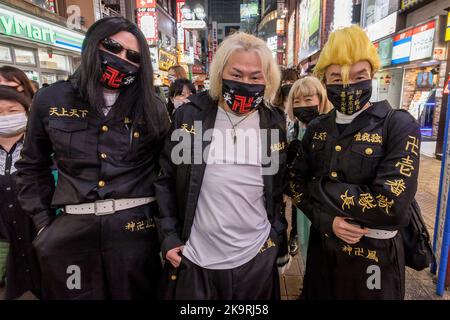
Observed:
{"x":219,"y":219}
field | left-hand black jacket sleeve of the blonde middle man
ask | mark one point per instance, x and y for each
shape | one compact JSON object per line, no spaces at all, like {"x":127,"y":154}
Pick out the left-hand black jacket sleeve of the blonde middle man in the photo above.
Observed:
{"x":165,"y":189}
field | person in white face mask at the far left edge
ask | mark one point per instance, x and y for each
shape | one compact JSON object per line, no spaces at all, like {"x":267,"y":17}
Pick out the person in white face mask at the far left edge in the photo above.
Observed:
{"x":15,"y":225}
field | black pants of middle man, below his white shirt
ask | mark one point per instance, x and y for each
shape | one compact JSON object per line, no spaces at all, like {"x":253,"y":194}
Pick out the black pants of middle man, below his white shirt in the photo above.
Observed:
{"x":255,"y":280}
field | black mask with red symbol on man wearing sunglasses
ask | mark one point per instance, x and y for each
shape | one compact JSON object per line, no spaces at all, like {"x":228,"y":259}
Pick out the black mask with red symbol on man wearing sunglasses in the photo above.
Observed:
{"x":117,"y":73}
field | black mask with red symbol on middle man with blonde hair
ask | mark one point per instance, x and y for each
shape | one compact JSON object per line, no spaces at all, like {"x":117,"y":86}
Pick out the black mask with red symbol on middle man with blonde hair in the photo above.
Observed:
{"x":241,"y":97}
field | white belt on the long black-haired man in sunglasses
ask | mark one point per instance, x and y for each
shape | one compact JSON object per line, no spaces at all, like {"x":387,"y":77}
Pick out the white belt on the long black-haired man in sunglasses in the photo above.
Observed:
{"x":109,"y":206}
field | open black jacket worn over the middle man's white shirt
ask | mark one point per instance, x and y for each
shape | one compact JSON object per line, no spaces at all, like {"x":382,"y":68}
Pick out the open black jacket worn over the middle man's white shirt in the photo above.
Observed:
{"x":178,"y":187}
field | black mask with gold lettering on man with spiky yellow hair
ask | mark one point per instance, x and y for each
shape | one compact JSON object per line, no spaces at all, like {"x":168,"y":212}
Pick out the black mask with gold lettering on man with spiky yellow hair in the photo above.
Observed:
{"x":350,"y":99}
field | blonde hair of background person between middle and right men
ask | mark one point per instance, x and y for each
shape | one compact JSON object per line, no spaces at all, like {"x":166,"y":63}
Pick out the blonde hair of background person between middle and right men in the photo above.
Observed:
{"x":306,"y":87}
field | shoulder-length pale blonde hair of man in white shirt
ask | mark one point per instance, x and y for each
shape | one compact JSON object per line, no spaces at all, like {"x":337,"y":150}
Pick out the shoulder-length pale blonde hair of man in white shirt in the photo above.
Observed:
{"x":246,"y":42}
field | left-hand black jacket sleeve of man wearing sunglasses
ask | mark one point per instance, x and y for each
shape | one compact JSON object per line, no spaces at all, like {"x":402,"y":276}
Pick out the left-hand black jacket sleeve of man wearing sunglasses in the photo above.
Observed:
{"x":34,"y":178}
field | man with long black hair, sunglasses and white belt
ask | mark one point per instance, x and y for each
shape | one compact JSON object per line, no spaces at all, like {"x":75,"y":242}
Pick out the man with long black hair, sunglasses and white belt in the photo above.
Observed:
{"x":105,"y":127}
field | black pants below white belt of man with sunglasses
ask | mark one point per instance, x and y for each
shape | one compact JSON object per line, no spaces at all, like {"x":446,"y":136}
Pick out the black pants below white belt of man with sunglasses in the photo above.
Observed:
{"x":114,"y":256}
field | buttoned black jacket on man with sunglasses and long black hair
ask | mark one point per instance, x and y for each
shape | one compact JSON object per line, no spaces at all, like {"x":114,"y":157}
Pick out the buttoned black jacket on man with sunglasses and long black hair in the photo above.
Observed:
{"x":97,"y":156}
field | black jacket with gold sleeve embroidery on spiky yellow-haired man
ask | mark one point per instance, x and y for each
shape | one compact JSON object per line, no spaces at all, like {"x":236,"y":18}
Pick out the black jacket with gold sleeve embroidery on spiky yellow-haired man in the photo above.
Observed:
{"x":362,"y":173}
